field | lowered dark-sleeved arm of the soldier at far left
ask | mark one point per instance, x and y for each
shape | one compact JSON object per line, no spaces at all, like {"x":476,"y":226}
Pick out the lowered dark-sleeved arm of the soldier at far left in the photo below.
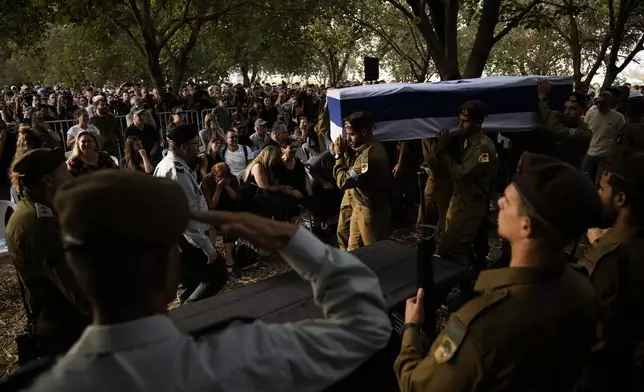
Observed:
{"x":44,"y":241}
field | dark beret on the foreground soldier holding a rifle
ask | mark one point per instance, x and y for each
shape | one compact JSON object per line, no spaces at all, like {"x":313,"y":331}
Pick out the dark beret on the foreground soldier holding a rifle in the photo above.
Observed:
{"x":560,"y":195}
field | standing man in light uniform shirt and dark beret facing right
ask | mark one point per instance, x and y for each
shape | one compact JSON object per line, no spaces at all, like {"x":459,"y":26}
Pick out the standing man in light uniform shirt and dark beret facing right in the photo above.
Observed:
{"x":202,"y":274}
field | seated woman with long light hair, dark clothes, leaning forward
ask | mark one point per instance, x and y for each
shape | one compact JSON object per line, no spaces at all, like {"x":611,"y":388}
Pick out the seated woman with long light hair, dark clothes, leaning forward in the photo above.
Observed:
{"x":262,"y":193}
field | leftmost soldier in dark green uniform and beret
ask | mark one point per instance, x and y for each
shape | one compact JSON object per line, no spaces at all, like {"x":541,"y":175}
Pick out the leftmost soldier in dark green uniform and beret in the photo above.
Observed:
{"x":59,"y":307}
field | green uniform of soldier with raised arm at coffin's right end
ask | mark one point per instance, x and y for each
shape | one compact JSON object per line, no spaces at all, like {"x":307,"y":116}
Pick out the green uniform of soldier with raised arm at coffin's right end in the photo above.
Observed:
{"x":571,"y":144}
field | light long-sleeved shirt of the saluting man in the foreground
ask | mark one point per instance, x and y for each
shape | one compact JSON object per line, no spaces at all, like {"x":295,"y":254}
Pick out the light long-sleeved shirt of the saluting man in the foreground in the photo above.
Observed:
{"x":150,"y":354}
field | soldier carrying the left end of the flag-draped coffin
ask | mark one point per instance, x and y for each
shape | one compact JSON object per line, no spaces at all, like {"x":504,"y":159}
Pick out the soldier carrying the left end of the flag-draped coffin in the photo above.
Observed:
{"x":362,"y":172}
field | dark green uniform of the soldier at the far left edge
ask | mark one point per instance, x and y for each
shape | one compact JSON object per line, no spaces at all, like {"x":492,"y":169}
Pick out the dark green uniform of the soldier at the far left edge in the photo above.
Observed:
{"x":53,"y":295}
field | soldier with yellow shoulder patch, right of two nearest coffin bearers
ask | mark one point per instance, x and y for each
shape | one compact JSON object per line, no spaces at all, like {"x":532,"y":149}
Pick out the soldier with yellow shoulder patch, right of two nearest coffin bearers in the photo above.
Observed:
{"x":472,"y":181}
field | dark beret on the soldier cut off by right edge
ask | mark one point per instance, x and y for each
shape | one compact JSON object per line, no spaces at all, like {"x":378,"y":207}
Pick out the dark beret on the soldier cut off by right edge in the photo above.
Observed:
{"x":627,"y":163}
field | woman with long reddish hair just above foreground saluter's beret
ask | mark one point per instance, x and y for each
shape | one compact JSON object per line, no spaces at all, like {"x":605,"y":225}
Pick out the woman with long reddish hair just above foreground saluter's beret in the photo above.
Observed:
{"x":87,"y":157}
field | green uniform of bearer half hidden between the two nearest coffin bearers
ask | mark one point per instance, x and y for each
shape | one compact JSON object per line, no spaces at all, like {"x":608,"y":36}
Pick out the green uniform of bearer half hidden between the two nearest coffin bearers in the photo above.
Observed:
{"x":438,"y":189}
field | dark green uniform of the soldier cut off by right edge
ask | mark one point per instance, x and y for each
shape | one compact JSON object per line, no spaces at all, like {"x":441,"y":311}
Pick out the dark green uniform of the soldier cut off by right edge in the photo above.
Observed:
{"x":614,"y":266}
